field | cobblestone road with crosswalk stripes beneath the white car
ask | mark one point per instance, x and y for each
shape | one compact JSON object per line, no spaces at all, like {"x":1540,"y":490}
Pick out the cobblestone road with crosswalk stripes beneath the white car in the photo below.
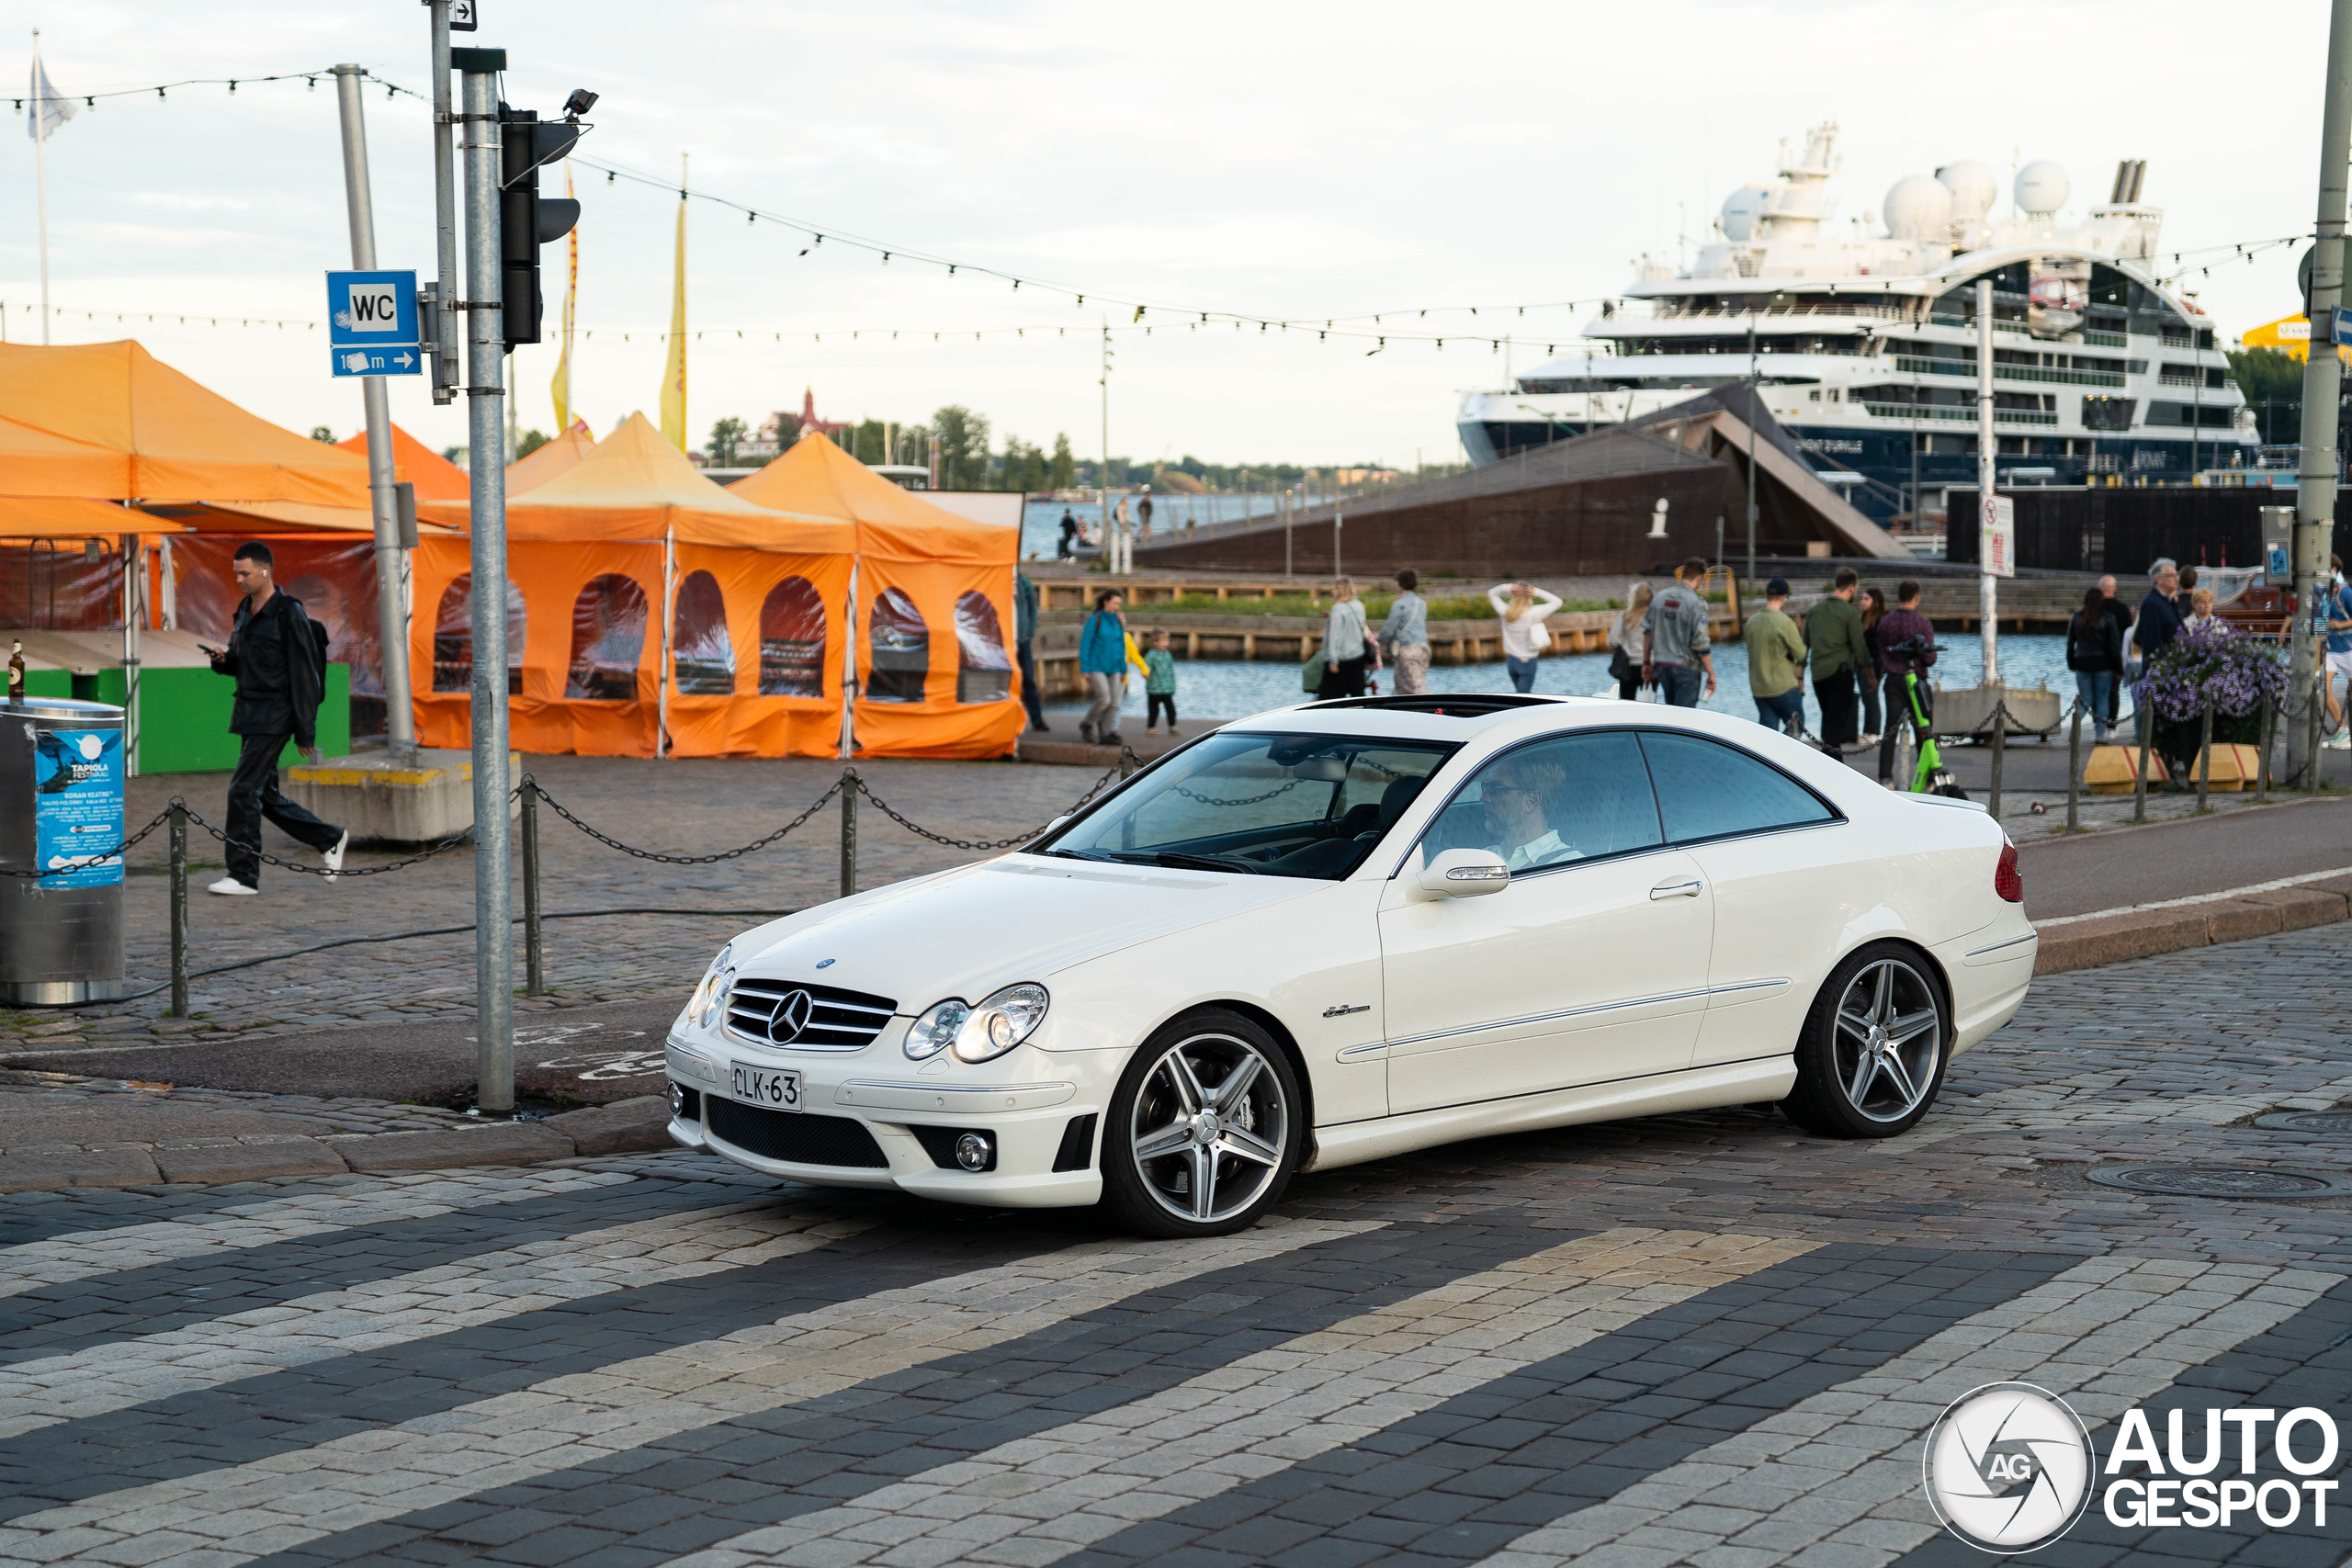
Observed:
{"x":1692,"y":1339}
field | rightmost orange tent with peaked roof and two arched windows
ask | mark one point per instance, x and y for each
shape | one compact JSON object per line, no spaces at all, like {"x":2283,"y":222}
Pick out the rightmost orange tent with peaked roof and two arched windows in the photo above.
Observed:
{"x":921,"y":568}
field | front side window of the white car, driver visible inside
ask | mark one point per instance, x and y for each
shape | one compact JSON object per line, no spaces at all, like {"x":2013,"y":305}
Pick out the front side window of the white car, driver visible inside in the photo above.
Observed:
{"x":1553,"y":803}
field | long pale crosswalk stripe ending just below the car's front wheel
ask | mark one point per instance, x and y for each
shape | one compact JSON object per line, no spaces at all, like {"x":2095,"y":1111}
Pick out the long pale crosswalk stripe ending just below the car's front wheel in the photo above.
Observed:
{"x":272,"y":1506}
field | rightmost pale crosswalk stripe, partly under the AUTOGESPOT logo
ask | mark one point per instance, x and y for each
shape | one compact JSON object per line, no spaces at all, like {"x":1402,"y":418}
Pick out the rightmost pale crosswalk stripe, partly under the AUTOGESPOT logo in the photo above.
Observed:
{"x":1840,"y":1473}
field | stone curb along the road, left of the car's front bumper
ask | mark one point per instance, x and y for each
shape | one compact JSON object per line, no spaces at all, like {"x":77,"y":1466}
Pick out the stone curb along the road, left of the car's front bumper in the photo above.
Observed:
{"x":622,"y":1127}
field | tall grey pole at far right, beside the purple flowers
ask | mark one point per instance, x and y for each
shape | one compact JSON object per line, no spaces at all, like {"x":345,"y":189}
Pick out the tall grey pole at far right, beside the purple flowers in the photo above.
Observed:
{"x":2323,"y":375}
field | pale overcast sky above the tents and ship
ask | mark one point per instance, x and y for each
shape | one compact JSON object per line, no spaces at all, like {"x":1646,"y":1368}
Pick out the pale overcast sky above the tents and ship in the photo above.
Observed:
{"x":1264,"y":159}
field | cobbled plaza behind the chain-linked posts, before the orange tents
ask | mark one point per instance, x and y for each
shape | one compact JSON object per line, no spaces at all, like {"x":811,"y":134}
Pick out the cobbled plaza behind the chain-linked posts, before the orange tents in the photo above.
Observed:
{"x":686,"y":808}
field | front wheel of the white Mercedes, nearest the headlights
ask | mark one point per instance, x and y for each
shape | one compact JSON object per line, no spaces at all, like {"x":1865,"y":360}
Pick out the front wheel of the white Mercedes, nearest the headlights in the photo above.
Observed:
{"x":1205,"y":1130}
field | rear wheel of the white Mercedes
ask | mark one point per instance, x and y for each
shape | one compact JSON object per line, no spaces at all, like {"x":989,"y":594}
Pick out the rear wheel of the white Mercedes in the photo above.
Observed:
{"x":1873,"y":1050}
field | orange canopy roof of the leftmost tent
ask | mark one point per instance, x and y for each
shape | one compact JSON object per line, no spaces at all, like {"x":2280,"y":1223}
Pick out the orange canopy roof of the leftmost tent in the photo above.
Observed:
{"x":116,"y":424}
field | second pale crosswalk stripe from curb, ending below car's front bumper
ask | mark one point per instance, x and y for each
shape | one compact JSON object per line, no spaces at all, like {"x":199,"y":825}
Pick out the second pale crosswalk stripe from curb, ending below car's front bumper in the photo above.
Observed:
{"x":406,"y":1308}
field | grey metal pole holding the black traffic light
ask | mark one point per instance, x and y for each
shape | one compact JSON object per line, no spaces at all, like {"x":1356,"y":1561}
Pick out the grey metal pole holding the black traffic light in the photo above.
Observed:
{"x":486,"y":396}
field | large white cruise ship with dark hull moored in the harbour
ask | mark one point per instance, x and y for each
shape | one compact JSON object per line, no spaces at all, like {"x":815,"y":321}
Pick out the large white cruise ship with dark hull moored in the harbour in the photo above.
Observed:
{"x":1864,"y":344}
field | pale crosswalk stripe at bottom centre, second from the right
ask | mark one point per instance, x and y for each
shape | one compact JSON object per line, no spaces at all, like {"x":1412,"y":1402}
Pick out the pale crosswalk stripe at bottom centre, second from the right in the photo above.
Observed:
{"x":1090,"y":1480}
